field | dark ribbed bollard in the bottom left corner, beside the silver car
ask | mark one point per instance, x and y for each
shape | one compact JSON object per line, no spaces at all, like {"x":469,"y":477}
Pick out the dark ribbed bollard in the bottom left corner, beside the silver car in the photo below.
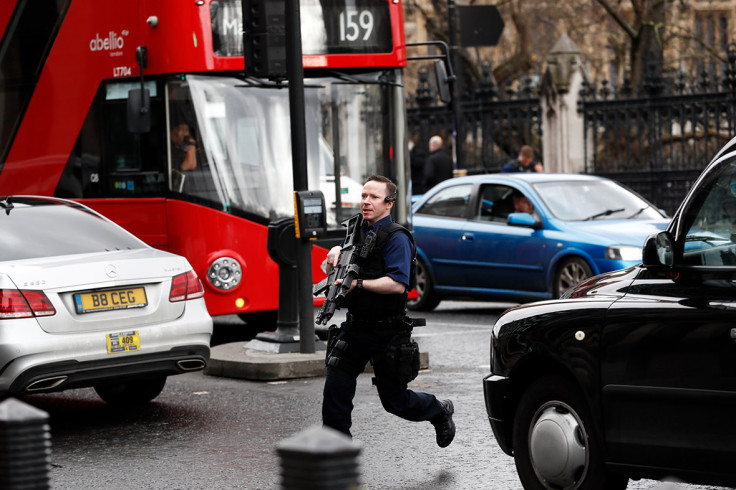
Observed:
{"x":25,"y":446}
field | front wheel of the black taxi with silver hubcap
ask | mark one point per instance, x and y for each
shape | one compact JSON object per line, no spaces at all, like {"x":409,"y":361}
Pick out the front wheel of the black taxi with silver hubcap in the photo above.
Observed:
{"x":556,"y":443}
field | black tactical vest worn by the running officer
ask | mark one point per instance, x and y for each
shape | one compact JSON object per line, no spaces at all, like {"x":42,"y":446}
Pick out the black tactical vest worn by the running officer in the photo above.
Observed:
{"x":366,"y":305}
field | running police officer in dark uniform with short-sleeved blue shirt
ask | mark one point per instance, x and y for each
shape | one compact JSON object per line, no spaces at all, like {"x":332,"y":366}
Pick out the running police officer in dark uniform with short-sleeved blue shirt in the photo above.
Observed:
{"x":376,"y":327}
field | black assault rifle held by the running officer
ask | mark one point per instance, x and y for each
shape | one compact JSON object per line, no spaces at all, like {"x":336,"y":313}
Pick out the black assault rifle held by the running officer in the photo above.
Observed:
{"x":347,"y":268}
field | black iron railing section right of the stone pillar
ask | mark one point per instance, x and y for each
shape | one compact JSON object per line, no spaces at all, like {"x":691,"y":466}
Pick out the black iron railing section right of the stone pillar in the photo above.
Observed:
{"x":659,"y":141}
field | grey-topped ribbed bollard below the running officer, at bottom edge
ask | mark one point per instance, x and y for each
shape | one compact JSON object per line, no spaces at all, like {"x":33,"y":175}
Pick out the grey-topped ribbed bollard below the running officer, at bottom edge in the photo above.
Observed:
{"x":319,"y":458}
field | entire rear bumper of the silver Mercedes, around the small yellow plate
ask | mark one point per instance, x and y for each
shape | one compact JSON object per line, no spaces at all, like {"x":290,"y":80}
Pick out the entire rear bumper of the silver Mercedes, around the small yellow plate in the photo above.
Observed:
{"x":31,"y":357}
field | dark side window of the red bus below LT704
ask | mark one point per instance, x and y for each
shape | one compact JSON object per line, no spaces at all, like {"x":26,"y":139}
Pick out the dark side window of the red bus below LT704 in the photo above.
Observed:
{"x":107,"y":160}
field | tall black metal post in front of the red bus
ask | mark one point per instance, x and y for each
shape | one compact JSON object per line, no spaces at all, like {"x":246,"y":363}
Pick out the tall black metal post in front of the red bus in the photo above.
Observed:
{"x":295,"y":74}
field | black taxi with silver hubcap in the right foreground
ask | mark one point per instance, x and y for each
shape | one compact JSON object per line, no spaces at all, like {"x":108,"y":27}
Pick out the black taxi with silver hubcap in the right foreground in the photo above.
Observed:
{"x":631,"y":374}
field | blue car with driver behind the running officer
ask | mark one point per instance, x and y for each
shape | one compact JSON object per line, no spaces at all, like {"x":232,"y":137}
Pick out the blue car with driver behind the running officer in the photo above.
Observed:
{"x":526,"y":236}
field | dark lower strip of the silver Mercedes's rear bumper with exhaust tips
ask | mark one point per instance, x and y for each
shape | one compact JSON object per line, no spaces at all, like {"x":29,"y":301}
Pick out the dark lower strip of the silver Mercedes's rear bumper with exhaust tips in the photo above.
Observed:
{"x":66,"y":375}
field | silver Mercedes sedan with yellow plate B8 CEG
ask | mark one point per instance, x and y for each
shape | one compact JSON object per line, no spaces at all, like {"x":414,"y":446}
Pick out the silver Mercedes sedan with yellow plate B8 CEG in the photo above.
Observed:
{"x":85,"y":303}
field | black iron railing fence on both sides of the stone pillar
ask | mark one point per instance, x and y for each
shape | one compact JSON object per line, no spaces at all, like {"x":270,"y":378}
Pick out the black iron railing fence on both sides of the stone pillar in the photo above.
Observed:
{"x":656,"y":140}
